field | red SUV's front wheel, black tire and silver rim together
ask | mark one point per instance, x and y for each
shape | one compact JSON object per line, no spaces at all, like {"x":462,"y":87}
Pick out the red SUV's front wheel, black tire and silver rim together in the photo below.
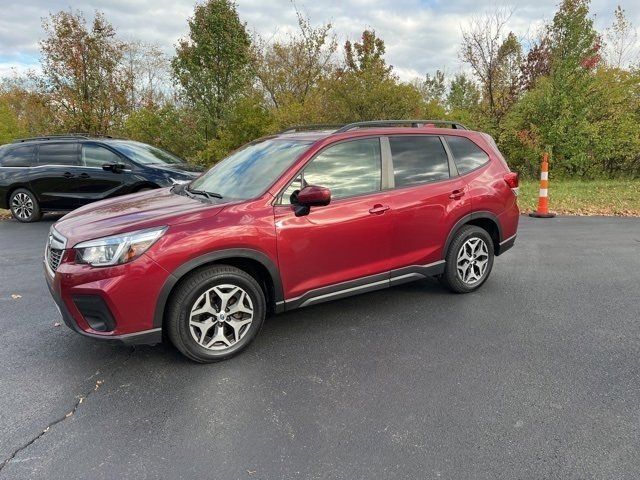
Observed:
{"x":215,"y":313}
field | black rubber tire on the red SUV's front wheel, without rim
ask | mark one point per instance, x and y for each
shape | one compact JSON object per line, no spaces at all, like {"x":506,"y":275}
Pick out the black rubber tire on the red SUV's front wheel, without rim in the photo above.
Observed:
{"x":185,"y":298}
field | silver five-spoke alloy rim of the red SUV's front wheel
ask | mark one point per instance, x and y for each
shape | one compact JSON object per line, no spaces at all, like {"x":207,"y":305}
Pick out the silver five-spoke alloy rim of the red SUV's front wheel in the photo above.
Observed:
{"x":221,"y":317}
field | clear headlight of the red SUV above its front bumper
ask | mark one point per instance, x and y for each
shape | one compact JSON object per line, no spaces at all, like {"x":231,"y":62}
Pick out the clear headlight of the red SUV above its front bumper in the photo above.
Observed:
{"x":117,"y":249}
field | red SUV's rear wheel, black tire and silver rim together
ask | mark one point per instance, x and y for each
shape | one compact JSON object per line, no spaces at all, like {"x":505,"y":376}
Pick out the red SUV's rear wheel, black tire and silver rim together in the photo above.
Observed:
{"x":469,"y":260}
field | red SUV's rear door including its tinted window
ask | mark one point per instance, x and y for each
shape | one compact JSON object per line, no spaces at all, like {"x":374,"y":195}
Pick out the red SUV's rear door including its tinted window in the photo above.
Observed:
{"x":427,"y":199}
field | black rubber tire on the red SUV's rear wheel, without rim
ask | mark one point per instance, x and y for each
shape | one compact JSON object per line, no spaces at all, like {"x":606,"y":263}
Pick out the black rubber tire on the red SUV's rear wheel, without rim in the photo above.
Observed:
{"x":451,"y":278}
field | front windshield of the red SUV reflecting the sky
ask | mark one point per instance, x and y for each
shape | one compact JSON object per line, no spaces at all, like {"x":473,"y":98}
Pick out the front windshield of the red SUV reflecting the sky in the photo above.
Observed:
{"x":246,"y":173}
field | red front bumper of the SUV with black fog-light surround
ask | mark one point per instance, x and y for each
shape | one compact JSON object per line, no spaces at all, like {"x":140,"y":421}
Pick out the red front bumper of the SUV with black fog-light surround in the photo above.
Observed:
{"x":127,"y":292}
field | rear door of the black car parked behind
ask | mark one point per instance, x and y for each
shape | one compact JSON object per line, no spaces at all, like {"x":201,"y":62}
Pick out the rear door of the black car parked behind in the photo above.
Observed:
{"x":53,"y":177}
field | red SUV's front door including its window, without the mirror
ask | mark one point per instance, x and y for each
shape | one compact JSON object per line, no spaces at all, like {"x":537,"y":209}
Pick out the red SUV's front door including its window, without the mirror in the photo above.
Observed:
{"x":342,"y":247}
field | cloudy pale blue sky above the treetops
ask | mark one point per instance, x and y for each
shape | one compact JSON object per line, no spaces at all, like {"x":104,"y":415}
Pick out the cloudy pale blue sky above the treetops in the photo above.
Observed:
{"x":421,"y":35}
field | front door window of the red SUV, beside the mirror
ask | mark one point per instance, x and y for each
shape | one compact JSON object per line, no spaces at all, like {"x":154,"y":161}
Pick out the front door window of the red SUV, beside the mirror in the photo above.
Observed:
{"x":348,"y":168}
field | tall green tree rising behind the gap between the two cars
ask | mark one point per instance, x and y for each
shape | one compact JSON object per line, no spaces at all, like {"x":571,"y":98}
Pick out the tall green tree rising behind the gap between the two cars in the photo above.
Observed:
{"x":211,"y":66}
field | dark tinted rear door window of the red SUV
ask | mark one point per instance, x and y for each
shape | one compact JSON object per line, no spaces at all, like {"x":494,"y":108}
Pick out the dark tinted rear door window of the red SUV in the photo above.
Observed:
{"x":418,"y":159}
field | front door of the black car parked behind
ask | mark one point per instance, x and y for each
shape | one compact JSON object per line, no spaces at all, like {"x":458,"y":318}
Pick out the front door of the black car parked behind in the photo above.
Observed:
{"x":93,"y":182}
